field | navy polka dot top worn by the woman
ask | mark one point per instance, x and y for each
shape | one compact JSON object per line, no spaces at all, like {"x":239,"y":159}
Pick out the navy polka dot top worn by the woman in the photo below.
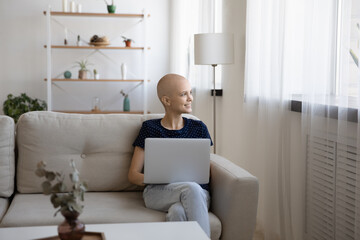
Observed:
{"x":153,"y":129}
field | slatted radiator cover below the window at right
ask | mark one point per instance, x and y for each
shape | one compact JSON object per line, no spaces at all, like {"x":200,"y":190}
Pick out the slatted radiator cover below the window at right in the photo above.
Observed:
{"x":332,"y":189}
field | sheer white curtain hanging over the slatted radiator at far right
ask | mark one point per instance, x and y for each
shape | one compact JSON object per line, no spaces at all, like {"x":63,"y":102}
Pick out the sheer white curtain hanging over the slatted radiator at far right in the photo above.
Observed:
{"x":331,"y":122}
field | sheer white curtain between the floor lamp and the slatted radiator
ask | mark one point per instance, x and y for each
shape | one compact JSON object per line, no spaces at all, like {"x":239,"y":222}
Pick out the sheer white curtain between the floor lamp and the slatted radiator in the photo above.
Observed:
{"x":267,"y":103}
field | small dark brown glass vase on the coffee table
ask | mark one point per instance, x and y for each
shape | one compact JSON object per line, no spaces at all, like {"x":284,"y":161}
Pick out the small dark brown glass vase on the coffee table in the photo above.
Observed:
{"x":71,"y":228}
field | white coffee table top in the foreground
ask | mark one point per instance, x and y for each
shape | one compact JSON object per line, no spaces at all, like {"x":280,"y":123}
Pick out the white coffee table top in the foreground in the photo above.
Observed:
{"x":130,"y":231}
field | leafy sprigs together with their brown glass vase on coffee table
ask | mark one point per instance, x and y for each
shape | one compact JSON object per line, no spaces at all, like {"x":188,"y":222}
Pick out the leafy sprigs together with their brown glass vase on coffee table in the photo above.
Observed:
{"x":66,"y":202}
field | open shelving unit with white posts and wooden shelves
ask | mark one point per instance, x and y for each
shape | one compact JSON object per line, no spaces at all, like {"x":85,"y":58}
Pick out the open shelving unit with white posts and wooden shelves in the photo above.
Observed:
{"x":49,"y":14}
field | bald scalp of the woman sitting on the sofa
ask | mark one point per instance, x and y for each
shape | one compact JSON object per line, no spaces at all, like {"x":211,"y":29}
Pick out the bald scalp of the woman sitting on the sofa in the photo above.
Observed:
{"x":169,"y":84}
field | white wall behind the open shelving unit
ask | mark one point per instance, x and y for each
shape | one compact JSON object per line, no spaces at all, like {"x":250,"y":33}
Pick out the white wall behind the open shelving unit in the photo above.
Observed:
{"x":23,"y":57}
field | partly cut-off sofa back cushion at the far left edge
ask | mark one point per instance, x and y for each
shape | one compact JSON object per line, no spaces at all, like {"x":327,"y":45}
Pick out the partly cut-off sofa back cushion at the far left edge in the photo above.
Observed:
{"x":7,"y":161}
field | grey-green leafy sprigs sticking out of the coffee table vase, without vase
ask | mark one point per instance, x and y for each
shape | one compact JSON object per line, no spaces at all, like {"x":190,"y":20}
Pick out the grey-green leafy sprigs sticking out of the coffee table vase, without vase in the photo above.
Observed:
{"x":62,"y":199}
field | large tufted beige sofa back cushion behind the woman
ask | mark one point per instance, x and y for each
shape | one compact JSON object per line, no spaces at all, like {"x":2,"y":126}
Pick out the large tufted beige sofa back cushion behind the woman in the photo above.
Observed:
{"x":100,"y":145}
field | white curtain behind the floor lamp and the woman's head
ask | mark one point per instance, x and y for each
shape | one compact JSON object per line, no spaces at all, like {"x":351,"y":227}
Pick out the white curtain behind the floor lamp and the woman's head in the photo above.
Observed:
{"x":189,"y":17}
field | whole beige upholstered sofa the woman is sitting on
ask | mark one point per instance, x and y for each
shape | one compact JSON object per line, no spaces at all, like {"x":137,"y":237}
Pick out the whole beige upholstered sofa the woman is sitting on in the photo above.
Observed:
{"x":101,"y":146}
